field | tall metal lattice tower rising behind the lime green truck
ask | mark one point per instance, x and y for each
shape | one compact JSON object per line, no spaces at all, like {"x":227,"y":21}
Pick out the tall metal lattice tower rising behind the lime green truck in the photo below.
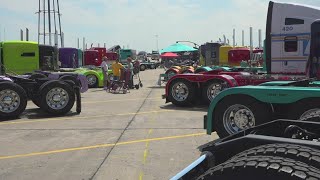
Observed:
{"x":49,"y":9}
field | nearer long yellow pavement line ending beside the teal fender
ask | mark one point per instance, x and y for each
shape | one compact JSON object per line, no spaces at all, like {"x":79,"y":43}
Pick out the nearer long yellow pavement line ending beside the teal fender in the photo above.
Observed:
{"x":99,"y":146}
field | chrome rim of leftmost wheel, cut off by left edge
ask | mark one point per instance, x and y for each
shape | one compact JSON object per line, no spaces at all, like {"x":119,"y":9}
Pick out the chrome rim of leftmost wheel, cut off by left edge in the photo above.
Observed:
{"x":9,"y":101}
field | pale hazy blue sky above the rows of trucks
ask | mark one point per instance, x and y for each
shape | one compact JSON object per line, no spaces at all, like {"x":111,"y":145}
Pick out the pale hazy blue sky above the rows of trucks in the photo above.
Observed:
{"x":143,"y":25}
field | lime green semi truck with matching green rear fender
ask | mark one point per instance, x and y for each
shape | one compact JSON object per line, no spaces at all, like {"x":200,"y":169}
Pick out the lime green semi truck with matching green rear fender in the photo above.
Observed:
{"x":25,"y":57}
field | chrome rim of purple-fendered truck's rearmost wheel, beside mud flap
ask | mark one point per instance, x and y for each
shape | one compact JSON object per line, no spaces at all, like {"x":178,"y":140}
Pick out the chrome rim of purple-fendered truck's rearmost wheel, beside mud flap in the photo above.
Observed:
{"x":57,"y":98}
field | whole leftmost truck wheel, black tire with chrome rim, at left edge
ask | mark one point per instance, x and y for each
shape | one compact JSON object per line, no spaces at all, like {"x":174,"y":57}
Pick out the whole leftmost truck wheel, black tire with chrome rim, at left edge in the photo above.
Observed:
{"x":13,"y":100}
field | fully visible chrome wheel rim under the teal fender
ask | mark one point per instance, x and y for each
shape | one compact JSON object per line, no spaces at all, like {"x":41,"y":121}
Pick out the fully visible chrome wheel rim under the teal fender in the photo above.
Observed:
{"x":237,"y":118}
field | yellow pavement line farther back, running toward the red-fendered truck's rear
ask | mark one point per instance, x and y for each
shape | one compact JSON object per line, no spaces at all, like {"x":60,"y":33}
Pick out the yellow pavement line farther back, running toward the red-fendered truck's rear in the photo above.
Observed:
{"x":79,"y":117}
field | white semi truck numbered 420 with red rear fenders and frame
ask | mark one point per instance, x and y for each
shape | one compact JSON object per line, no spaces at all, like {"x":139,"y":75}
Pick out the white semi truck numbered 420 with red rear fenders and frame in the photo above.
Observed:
{"x":291,"y":53}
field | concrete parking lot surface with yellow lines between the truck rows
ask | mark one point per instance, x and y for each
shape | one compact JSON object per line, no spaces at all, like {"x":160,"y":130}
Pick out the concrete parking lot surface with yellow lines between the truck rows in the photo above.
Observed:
{"x":117,"y":137}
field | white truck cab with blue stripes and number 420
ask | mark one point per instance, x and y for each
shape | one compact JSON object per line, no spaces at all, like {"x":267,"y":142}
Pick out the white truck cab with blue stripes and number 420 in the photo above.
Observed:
{"x":290,"y":31}
